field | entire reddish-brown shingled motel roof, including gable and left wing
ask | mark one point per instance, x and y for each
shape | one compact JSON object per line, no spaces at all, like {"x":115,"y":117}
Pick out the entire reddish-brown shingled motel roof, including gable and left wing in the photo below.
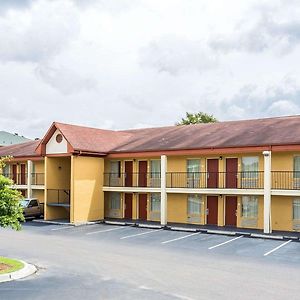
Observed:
{"x":247,"y":133}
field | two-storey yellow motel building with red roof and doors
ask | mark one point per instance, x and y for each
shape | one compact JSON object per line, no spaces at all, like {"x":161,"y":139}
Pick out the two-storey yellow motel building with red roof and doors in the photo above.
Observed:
{"x":243,"y":174}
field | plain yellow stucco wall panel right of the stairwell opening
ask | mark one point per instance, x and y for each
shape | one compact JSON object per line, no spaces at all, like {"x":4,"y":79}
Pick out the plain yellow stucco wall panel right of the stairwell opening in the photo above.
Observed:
{"x":87,"y":197}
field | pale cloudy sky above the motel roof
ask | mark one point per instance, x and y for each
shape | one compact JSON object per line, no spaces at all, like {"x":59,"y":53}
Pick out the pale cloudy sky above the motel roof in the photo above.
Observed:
{"x":122,"y":64}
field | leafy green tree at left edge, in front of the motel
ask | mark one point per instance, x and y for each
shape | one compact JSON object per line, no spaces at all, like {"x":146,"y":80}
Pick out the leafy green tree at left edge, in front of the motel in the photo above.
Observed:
{"x":11,"y":212}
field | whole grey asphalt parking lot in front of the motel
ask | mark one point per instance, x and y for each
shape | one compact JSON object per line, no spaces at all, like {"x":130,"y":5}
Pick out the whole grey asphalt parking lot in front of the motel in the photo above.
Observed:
{"x":103,"y":261}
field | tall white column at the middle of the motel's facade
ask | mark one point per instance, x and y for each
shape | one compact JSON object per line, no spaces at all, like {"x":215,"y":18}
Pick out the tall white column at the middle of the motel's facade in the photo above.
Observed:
{"x":163,"y":192}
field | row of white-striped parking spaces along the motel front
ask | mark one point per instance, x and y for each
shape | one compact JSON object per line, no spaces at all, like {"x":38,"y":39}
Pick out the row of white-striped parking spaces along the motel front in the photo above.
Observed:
{"x":212,"y":244}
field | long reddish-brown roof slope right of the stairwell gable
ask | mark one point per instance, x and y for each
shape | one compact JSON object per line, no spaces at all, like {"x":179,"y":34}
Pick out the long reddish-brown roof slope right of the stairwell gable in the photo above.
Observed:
{"x":246,"y":133}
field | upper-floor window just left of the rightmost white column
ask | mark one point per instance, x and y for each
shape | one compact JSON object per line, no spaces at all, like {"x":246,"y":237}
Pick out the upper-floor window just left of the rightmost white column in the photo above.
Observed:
{"x":249,"y":172}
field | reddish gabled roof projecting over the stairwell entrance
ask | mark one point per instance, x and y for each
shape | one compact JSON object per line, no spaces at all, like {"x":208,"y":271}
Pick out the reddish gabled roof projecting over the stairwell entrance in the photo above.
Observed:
{"x":86,"y":139}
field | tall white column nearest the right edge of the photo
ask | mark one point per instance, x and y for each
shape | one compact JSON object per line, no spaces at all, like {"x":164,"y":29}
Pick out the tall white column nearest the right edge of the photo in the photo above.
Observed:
{"x":267,"y":191}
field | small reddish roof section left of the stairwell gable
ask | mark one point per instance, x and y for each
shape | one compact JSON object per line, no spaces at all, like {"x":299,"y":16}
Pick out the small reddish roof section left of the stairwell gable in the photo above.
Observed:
{"x":20,"y":150}
